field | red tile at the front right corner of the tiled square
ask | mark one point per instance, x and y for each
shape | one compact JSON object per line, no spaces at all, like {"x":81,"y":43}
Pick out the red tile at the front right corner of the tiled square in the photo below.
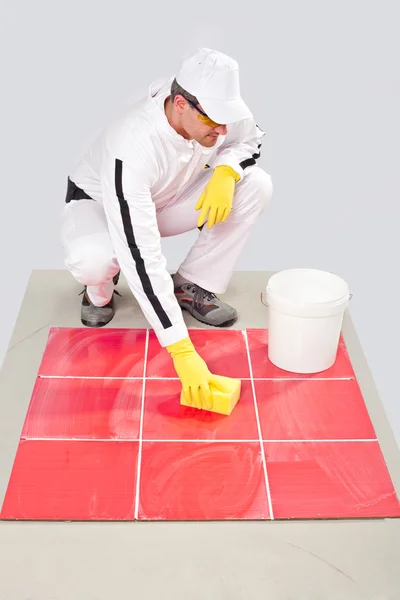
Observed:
{"x":329,"y":480}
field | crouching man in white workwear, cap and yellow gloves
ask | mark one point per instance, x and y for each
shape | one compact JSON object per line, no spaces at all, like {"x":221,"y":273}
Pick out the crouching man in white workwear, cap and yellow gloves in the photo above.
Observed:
{"x":183,"y":157}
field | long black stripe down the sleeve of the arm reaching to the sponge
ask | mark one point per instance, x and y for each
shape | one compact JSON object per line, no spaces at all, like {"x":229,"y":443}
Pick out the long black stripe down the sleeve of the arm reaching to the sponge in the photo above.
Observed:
{"x":135,"y":252}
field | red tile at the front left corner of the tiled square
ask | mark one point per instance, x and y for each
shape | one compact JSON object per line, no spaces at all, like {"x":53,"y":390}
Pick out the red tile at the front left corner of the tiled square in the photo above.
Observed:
{"x":72,"y":480}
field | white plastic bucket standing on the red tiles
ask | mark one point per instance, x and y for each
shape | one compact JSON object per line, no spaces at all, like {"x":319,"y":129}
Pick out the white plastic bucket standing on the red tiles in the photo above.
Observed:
{"x":306,"y":309}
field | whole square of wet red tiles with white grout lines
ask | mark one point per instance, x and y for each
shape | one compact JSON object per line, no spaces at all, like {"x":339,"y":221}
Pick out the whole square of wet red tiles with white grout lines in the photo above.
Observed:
{"x":92,"y":418}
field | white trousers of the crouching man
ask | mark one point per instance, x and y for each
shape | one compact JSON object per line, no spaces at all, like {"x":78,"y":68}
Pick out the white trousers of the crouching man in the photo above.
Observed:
{"x":90,"y":256}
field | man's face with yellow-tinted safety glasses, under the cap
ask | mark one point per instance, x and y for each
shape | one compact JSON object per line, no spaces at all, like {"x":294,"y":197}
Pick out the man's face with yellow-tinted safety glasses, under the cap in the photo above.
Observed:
{"x":197,"y":126}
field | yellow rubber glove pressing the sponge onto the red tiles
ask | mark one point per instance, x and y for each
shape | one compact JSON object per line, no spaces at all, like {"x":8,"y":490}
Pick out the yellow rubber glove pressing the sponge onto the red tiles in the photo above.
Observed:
{"x":193,"y":373}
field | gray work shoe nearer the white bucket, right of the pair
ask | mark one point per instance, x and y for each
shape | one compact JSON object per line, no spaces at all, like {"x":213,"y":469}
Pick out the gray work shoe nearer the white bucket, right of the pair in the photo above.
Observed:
{"x":205,"y":306}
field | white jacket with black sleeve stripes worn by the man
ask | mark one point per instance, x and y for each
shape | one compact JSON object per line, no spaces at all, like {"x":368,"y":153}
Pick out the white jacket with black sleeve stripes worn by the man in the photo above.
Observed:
{"x":139,"y":164}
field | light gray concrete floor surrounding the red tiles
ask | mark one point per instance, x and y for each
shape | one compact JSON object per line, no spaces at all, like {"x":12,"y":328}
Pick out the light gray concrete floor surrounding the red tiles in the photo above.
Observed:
{"x":310,"y":560}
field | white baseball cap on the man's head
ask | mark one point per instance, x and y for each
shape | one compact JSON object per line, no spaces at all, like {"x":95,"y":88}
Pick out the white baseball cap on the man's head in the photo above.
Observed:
{"x":213,"y":77}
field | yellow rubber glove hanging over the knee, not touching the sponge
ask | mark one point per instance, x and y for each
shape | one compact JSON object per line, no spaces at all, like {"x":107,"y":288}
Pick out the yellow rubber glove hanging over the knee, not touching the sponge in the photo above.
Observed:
{"x":216,"y":199}
